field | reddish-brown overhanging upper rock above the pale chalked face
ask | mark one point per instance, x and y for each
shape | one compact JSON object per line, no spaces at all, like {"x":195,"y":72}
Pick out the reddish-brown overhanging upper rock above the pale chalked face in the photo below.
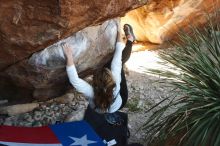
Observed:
{"x":27,"y":26}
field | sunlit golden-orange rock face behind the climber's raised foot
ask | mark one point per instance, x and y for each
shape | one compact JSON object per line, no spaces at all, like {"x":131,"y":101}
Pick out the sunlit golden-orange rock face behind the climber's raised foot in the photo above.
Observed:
{"x":159,"y":20}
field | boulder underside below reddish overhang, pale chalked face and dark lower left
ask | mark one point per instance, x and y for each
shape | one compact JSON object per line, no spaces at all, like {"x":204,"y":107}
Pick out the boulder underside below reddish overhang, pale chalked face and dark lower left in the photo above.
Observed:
{"x":44,"y":76}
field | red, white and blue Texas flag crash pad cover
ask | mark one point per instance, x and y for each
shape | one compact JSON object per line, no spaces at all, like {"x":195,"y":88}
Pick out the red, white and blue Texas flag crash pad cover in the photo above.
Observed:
{"x":78,"y":133}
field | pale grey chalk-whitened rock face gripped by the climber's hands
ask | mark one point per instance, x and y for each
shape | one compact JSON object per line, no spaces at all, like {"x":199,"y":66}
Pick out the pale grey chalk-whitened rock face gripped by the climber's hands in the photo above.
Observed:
{"x":87,"y":44}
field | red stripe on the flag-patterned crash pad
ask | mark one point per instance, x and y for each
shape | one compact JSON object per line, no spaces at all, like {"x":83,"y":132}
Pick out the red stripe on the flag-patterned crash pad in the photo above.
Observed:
{"x":28,"y":134}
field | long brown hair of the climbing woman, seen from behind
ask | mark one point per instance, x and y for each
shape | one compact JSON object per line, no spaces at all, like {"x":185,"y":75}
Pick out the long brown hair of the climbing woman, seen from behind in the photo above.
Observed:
{"x":103,"y":84}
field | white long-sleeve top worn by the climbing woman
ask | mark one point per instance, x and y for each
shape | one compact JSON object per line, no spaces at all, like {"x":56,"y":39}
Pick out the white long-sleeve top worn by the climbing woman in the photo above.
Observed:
{"x":87,"y":90}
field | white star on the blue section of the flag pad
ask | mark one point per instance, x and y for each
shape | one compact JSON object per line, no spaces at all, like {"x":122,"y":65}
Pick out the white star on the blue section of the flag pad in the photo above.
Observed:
{"x":83,"y":141}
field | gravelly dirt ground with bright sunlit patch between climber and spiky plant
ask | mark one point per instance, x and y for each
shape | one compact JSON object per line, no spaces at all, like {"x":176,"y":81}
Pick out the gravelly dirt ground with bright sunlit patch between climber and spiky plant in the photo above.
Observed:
{"x":144,"y":91}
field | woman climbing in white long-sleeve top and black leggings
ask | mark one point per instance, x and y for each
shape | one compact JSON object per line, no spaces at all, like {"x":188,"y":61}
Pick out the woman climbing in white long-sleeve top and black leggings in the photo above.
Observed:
{"x":109,"y":92}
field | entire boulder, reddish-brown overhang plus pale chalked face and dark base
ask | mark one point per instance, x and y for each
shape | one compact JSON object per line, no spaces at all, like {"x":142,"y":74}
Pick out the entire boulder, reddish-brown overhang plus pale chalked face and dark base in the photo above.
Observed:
{"x":28,"y":26}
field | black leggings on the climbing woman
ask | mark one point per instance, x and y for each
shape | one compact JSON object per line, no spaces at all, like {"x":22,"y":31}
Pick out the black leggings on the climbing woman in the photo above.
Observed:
{"x":123,"y":85}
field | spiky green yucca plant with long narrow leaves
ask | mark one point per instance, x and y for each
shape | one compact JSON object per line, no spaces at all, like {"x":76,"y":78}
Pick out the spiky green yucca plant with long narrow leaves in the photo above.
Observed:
{"x":195,"y":74}
